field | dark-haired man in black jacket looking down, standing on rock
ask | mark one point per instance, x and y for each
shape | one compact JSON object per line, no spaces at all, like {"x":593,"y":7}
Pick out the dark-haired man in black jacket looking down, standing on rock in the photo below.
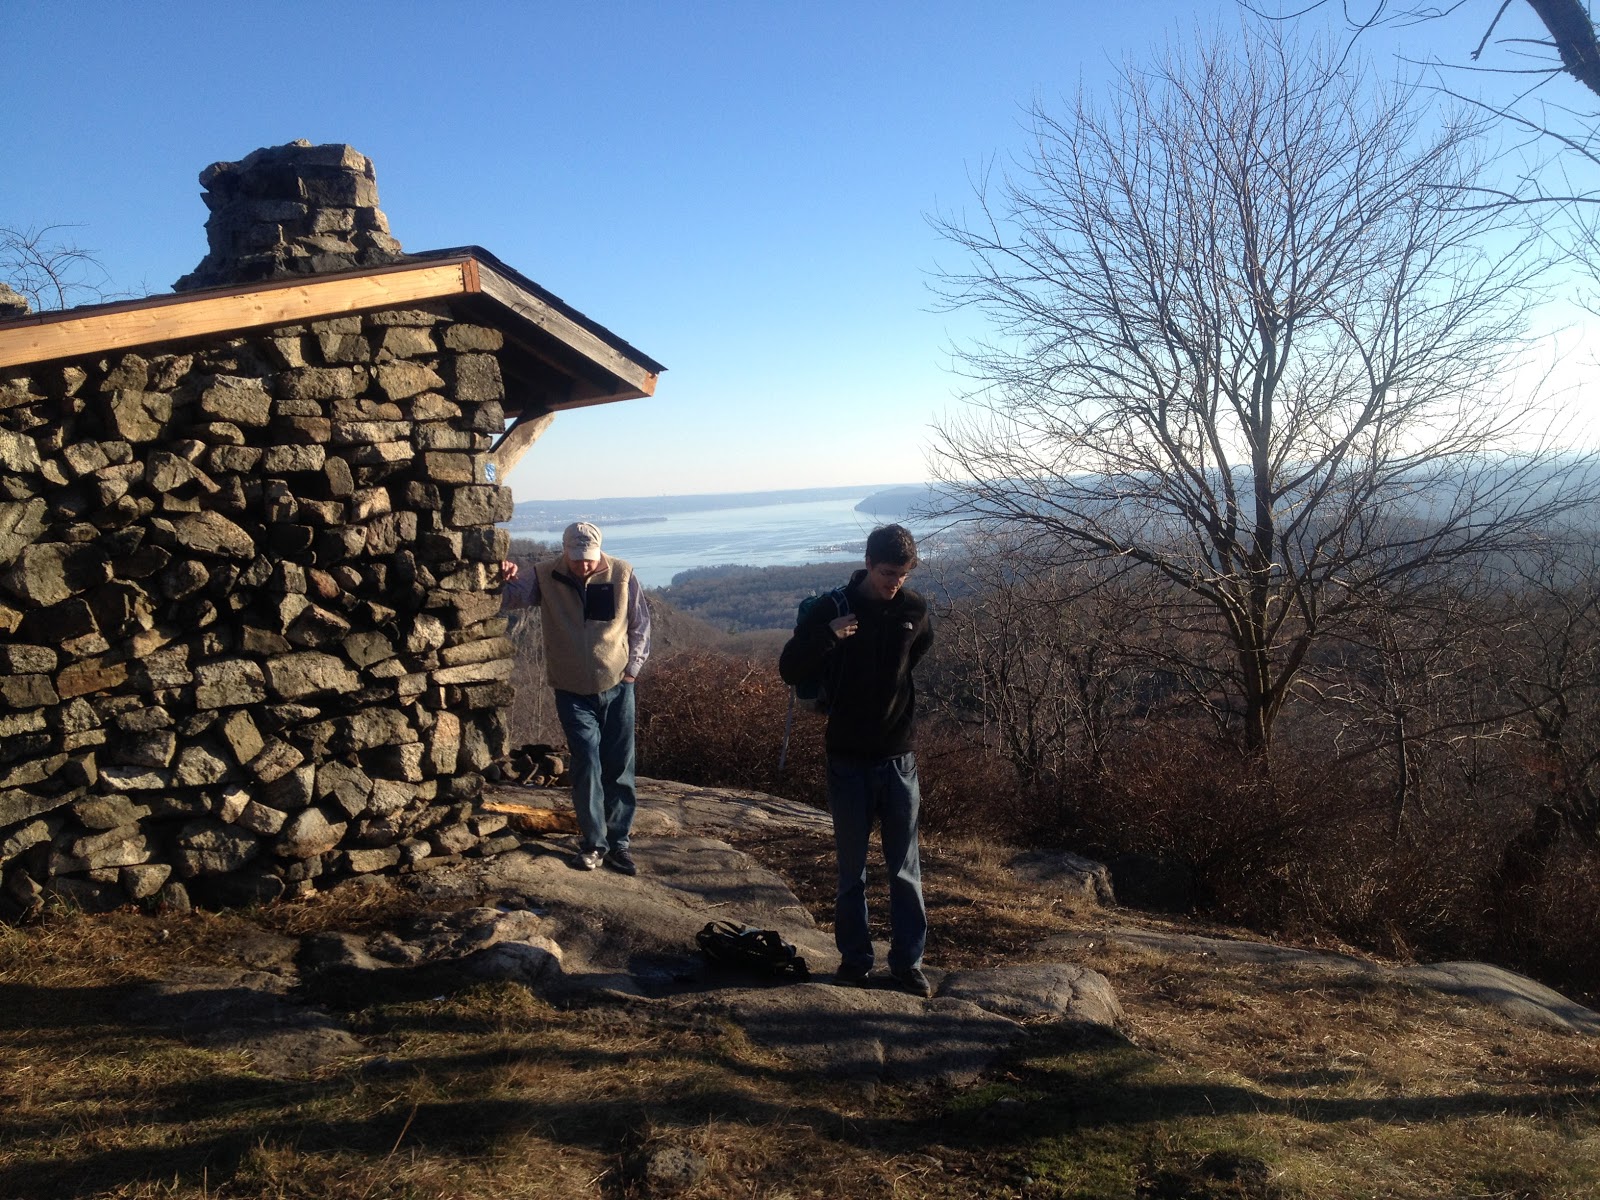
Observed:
{"x":863,"y":657}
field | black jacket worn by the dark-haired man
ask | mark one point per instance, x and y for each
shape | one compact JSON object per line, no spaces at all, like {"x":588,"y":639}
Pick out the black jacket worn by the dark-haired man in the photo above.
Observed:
{"x":873,"y":700}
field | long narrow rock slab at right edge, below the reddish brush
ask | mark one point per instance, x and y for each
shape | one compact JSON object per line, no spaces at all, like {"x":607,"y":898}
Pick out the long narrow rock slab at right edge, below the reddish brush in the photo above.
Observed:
{"x":1516,"y":996}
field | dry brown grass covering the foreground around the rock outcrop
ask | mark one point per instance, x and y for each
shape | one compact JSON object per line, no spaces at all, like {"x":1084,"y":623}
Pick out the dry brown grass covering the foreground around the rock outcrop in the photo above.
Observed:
{"x":1233,"y":1082}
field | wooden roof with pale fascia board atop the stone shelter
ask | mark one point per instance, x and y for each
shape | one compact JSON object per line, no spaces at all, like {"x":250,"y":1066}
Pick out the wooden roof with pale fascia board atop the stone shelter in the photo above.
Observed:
{"x":554,"y":356}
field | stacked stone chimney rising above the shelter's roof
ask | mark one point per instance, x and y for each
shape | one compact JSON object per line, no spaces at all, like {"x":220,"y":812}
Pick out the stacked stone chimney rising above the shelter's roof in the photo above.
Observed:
{"x":292,"y":210}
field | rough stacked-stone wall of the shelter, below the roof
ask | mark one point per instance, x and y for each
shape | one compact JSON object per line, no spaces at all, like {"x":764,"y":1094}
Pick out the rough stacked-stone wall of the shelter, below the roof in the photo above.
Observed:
{"x":249,"y":634}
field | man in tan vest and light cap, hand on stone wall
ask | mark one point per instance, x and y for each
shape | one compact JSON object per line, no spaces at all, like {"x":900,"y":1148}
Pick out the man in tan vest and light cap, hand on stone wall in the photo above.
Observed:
{"x":596,"y":642}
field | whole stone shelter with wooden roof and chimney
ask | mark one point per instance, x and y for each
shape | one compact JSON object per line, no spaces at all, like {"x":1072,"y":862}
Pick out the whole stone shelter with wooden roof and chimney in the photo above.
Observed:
{"x":250,"y":630}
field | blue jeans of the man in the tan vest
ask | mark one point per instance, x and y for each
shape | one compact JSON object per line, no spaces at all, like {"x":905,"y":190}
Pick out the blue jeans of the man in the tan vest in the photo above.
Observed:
{"x":601,"y":738}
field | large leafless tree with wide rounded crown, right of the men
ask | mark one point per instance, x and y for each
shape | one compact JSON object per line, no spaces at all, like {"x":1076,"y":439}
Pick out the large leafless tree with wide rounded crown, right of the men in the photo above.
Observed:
{"x":1250,"y":343}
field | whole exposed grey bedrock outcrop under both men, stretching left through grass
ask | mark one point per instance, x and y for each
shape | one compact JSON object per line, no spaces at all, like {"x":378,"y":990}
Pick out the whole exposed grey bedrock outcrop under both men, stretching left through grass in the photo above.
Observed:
{"x":583,"y":935}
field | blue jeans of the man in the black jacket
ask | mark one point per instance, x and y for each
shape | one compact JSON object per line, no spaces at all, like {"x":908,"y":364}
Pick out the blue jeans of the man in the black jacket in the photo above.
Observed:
{"x":858,"y":794}
